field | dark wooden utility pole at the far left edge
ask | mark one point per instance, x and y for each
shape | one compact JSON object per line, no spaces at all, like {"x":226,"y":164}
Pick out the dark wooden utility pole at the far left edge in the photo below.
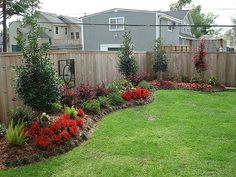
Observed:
{"x":4,"y":11}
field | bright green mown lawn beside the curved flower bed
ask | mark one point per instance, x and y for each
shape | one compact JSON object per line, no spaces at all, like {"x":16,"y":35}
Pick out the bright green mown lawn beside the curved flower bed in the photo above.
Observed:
{"x":182,"y":133}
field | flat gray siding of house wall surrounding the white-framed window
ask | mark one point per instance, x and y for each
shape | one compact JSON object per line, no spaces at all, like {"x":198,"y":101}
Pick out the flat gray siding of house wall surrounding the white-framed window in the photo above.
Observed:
{"x":142,"y":36}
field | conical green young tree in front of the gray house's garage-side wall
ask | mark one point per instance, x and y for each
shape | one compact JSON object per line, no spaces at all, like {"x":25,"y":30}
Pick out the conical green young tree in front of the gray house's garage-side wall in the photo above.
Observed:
{"x":127,"y":64}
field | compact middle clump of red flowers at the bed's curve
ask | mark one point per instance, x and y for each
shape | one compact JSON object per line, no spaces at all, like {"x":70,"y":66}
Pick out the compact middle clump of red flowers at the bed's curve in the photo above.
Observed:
{"x":136,"y":93}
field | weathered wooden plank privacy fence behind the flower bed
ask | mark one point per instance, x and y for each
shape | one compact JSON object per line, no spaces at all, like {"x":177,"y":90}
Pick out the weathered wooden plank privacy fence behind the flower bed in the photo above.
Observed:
{"x":97,"y":67}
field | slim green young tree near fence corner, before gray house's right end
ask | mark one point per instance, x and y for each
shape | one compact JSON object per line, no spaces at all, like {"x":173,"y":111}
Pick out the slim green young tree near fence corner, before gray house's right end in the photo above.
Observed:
{"x":160,"y":59}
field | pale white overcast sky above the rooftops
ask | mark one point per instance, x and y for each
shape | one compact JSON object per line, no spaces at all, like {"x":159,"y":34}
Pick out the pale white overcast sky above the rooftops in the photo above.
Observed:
{"x":225,"y":9}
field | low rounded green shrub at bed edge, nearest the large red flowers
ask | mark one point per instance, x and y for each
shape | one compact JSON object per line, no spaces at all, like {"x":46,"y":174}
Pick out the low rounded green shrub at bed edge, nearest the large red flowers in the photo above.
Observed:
{"x":91,"y":106}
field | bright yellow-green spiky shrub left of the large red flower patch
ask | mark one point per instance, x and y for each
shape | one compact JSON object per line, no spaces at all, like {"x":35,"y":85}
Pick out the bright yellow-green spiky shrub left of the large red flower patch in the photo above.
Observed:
{"x":15,"y":134}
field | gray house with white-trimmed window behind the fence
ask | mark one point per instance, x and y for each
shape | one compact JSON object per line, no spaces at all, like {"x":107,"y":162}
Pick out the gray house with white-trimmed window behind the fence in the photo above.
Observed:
{"x":104,"y":30}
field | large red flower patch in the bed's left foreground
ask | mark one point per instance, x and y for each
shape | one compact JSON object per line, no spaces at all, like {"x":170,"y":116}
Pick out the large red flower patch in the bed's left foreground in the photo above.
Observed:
{"x":60,"y":130}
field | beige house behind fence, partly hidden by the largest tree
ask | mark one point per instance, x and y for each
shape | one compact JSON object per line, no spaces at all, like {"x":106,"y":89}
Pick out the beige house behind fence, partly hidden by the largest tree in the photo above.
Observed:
{"x":60,"y":31}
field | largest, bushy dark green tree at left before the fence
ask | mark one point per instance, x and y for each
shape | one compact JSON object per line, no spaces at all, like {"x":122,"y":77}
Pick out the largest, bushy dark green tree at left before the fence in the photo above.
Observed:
{"x":37,"y":84}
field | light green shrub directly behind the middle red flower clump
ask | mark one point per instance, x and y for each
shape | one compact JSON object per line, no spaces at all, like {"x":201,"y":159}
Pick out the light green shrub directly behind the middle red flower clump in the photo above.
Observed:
{"x":117,"y":86}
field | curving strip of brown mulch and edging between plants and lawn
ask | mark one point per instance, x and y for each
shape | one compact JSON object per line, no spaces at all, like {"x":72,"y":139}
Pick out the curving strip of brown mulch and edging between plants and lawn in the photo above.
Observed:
{"x":11,"y":156}
